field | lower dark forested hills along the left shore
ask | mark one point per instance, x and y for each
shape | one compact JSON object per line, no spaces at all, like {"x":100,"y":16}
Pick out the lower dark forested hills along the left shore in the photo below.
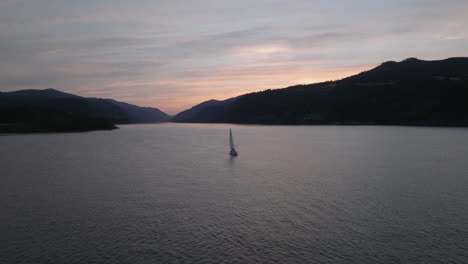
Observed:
{"x":53,"y":110}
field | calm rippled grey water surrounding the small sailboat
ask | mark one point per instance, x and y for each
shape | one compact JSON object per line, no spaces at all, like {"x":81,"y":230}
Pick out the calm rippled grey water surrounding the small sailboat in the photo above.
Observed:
{"x":170,"y":193}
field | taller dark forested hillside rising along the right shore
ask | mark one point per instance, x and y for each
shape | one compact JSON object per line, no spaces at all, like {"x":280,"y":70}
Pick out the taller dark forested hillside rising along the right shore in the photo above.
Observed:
{"x":410,"y":92}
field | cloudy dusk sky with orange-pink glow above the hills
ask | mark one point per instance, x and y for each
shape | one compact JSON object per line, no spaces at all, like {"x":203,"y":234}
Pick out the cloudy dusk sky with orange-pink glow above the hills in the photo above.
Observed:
{"x":175,"y":54}
